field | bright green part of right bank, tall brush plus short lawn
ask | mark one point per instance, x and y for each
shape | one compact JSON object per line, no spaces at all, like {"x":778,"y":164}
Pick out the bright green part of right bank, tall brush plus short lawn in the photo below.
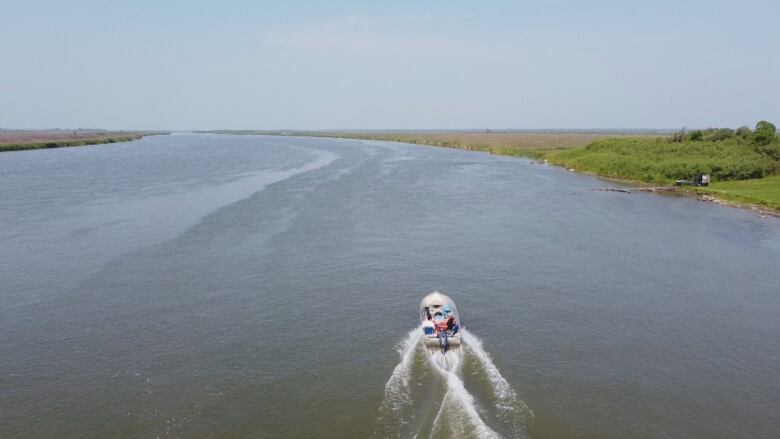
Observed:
{"x":743,"y":174}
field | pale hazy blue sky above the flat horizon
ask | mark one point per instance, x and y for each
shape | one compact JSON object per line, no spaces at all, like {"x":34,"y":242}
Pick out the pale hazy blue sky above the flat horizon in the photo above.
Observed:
{"x":525,"y":64}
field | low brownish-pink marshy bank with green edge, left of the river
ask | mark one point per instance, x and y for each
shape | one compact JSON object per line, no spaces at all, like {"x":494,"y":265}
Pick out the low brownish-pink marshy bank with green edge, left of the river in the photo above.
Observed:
{"x":19,"y":140}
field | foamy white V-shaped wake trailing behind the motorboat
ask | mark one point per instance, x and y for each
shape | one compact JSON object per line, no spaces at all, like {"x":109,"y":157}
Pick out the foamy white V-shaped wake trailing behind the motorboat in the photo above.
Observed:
{"x":427,"y":394}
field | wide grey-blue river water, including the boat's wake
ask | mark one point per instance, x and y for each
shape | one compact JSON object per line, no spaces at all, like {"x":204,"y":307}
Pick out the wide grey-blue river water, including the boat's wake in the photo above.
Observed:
{"x":249,"y":286}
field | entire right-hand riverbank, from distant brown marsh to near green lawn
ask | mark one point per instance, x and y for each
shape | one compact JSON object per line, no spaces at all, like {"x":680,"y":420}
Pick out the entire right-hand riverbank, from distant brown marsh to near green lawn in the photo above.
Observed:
{"x":742,"y":170}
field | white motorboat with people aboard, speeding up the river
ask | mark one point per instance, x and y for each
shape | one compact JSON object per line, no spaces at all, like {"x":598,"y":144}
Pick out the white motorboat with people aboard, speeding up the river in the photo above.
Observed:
{"x":435,"y":312}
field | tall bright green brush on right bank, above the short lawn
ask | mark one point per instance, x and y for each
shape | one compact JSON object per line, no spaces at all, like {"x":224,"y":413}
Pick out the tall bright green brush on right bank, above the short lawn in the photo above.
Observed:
{"x":659,"y":161}
